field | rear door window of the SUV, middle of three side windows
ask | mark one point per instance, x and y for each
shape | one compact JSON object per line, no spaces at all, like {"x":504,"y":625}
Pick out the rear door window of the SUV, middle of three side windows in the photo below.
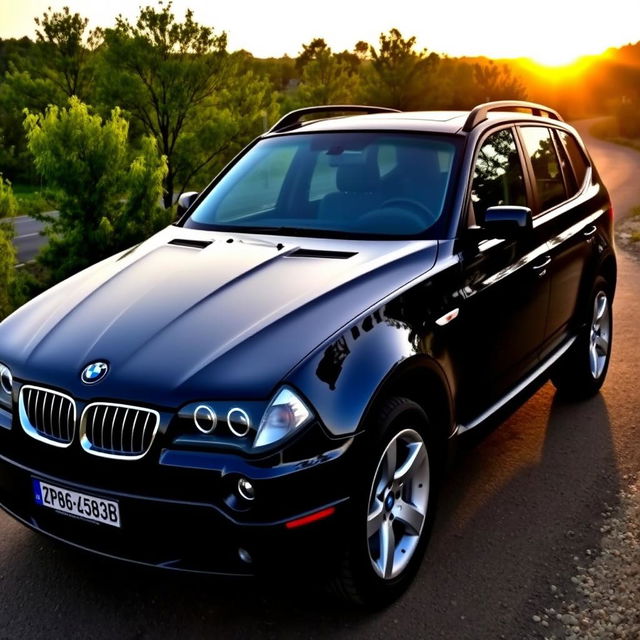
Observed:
{"x":546,"y":166}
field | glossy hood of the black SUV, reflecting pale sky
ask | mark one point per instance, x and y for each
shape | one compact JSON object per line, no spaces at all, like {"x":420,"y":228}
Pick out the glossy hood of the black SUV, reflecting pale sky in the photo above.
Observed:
{"x":193,"y":314}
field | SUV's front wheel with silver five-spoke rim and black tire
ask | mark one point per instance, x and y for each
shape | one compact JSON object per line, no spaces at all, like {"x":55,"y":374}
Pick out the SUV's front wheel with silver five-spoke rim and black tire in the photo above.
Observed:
{"x":394,"y":505}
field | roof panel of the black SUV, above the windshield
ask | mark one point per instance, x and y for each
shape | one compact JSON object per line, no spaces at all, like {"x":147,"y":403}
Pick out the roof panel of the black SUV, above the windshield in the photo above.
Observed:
{"x":444,"y":122}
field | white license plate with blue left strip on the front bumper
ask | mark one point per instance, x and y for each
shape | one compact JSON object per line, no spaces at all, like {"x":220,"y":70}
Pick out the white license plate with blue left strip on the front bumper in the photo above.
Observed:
{"x":77,"y":504}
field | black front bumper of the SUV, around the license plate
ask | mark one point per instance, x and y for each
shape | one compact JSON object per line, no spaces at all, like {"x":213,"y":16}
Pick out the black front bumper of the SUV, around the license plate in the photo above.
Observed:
{"x":175,"y":512}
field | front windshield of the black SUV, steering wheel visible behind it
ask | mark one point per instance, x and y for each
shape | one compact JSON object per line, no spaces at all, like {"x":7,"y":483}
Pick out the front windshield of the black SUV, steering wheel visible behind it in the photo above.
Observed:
{"x":388,"y":184}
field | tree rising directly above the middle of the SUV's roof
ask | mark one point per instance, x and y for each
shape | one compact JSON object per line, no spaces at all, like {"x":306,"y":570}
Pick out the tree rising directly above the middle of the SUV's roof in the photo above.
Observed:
{"x":396,"y":75}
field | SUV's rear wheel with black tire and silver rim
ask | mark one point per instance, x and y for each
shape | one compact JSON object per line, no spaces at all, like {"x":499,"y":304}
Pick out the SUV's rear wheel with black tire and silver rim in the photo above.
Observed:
{"x":583,"y":369}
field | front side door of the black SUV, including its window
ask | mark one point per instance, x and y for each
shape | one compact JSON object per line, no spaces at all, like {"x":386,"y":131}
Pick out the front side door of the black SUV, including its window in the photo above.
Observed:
{"x":505,"y":285}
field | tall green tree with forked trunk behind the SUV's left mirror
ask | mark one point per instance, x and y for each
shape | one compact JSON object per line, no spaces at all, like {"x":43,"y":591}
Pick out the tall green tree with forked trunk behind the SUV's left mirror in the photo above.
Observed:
{"x":164,"y":73}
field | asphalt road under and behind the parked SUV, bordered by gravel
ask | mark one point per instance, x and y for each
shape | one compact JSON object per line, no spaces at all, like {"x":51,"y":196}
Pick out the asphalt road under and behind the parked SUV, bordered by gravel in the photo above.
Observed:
{"x":514,"y":512}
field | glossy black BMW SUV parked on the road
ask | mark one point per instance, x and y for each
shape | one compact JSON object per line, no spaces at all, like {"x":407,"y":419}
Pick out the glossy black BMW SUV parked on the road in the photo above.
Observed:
{"x":276,"y":378}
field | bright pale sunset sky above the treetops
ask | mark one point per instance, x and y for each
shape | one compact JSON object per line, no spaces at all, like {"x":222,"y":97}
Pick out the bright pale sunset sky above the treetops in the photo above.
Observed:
{"x":549,"y":32}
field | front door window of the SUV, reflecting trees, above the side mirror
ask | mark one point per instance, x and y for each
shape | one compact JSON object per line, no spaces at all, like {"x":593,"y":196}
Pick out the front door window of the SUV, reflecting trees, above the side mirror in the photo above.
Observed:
{"x":498,"y":177}
